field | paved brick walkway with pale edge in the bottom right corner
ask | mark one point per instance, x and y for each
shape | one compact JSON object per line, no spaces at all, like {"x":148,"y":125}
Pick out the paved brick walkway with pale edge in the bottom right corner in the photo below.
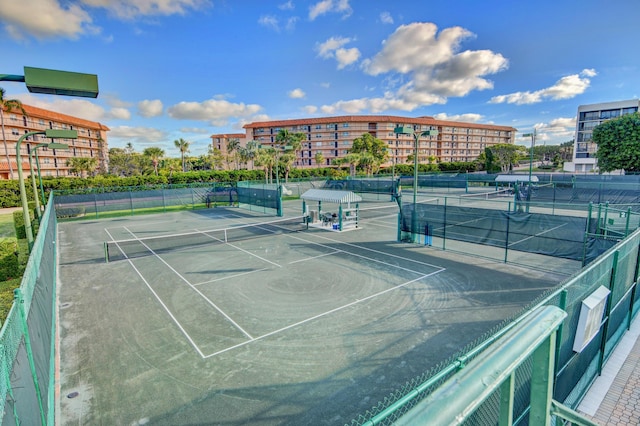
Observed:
{"x":614,"y":398}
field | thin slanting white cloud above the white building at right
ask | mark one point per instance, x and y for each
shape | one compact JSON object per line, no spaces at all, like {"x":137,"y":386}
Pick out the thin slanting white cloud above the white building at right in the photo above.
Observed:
{"x":566,"y":88}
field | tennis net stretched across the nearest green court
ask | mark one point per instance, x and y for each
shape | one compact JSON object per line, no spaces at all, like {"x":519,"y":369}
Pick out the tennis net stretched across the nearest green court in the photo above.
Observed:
{"x":140,"y":247}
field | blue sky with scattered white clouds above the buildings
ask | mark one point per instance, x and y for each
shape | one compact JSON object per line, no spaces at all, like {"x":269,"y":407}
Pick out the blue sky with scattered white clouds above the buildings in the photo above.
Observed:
{"x":170,"y":69}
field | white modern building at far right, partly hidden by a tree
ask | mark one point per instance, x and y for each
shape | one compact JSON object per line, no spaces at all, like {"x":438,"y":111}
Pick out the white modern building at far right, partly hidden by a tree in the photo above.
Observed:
{"x":589,"y":116}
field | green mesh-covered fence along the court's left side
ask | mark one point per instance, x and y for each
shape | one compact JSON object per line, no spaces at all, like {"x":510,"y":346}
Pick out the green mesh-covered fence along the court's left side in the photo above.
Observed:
{"x":26,"y":337}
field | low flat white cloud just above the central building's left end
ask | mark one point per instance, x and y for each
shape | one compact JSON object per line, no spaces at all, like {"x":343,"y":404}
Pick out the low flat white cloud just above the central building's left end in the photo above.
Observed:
{"x":218,"y":112}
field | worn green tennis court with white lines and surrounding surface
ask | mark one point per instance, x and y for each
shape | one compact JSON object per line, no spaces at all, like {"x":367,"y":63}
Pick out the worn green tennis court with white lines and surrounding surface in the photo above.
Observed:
{"x":282,"y":325}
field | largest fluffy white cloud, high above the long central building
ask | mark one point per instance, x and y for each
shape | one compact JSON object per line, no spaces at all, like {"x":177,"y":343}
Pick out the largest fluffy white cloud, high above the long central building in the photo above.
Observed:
{"x":417,"y":79}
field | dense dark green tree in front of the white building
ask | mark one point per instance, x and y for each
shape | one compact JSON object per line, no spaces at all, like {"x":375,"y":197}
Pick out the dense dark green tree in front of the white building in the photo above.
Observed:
{"x":618,"y":143}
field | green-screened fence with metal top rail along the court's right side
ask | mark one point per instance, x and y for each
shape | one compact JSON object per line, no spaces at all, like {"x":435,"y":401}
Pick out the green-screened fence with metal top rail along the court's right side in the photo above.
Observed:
{"x":617,"y":270}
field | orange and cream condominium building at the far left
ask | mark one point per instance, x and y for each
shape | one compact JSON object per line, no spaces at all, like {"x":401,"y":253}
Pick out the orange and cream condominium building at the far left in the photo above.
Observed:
{"x":91,"y":142}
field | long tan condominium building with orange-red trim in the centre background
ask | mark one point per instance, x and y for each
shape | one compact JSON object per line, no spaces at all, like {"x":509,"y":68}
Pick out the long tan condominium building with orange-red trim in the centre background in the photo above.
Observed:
{"x":333,"y":137}
